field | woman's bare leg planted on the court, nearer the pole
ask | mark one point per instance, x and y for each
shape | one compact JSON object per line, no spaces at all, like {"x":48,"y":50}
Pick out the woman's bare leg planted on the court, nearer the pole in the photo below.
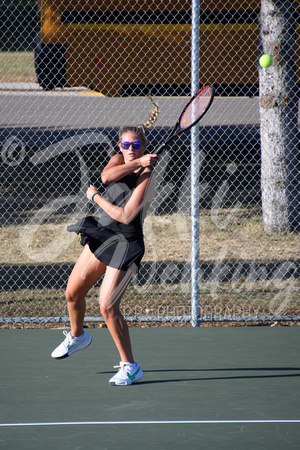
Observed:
{"x":113,"y":287}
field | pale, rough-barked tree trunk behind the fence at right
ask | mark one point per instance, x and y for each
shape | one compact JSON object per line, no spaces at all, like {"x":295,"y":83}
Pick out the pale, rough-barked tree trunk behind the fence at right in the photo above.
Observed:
{"x":279,"y":118}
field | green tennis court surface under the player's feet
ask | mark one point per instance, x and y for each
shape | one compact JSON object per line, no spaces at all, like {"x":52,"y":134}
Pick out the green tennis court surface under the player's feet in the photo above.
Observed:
{"x":204,"y":388}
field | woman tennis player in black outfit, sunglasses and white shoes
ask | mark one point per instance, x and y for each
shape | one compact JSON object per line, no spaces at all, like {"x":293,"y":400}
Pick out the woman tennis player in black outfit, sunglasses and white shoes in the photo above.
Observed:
{"x":113,"y":246}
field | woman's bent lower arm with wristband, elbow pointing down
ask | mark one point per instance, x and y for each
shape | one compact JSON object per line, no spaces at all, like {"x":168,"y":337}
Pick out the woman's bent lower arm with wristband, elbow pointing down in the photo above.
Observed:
{"x":142,"y":194}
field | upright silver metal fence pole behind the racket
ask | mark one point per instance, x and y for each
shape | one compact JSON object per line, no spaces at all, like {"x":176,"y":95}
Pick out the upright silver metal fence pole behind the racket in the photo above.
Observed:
{"x":195,"y":169}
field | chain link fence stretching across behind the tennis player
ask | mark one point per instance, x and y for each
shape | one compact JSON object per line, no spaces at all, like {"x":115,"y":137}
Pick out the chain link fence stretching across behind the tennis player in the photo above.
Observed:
{"x":72,"y":73}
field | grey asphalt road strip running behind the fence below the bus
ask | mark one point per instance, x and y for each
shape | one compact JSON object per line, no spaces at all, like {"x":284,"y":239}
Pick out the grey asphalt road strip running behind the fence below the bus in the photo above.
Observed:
{"x":26,"y":105}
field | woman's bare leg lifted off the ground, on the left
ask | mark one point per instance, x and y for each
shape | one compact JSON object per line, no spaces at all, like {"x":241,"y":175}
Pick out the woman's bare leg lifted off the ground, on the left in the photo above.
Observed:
{"x":85,"y":274}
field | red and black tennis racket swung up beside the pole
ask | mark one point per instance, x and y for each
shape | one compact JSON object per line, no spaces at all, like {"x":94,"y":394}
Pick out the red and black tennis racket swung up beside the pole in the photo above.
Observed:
{"x":196,"y":108}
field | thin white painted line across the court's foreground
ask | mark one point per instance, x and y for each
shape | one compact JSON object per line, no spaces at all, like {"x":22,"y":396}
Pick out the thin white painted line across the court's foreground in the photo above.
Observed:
{"x":149,"y":422}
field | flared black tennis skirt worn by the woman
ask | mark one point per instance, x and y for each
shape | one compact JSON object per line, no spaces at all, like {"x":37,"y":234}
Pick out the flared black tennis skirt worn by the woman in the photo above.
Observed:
{"x":111,"y":248}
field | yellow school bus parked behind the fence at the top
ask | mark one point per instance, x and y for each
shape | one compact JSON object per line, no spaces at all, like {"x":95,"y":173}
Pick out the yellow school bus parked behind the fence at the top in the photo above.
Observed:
{"x":138,"y":47}
